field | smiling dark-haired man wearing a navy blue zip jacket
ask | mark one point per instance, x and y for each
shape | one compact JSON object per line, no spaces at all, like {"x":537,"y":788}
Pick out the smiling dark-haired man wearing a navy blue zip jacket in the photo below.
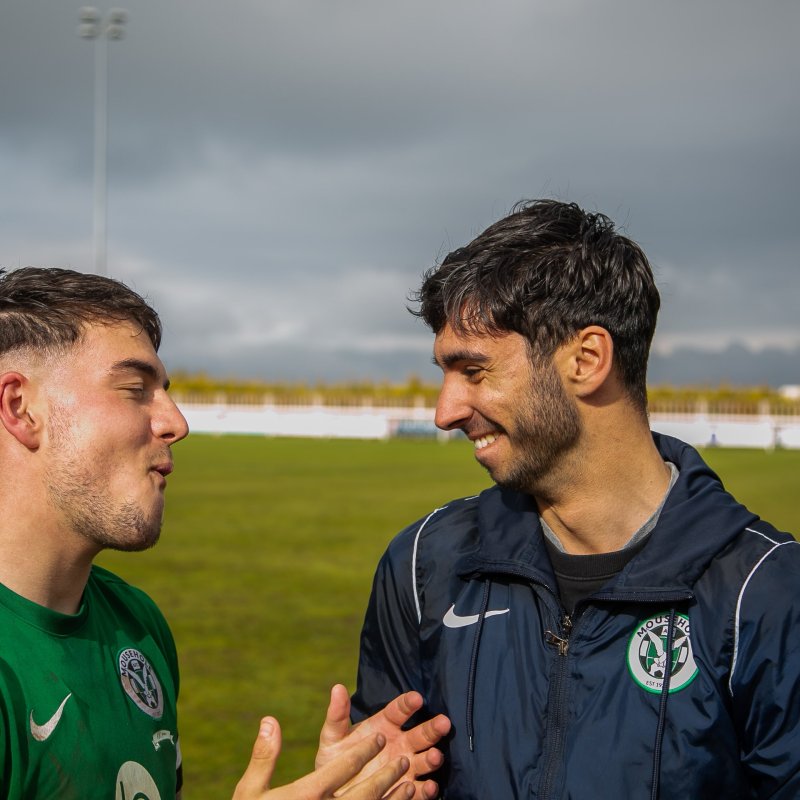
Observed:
{"x":607,"y":621}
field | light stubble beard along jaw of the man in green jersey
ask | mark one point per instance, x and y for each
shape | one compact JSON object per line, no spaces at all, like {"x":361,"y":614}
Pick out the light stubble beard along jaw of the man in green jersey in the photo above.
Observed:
{"x":84,"y":498}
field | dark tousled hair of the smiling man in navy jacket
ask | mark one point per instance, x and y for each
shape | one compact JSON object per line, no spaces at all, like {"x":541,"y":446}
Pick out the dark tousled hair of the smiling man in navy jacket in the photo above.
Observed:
{"x":546,"y":271}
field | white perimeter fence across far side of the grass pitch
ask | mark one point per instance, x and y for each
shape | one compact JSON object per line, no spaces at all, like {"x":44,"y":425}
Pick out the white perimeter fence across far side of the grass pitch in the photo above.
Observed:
{"x":363,"y":422}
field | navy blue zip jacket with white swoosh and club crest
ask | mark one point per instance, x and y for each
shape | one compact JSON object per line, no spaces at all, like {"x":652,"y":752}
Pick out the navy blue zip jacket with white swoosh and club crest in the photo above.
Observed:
{"x":464,"y":610}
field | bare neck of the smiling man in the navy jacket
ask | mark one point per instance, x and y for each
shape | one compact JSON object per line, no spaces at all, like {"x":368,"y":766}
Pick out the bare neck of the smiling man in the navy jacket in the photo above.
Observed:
{"x":608,"y":487}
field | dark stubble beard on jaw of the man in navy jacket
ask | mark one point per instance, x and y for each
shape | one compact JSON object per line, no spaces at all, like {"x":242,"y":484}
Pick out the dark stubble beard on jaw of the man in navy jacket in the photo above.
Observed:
{"x":546,"y":428}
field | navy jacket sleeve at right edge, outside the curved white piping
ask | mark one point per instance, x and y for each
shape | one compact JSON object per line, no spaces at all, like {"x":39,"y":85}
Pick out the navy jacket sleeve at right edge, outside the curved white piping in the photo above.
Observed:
{"x":765,"y":678}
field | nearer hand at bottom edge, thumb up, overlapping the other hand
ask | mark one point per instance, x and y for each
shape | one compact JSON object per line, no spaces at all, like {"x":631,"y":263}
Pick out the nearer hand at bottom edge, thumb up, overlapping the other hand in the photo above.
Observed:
{"x":327,"y":781}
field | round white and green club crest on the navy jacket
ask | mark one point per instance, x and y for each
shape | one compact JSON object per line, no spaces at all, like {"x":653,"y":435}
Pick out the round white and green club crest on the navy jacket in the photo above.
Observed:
{"x":648,"y":659}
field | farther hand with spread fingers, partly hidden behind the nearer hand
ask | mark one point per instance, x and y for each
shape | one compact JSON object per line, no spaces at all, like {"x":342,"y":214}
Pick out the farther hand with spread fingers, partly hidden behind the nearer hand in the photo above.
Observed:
{"x":415,"y":744}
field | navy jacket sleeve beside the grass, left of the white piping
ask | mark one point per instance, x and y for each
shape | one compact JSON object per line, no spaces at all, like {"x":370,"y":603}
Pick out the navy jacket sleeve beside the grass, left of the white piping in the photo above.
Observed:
{"x":389,"y":660}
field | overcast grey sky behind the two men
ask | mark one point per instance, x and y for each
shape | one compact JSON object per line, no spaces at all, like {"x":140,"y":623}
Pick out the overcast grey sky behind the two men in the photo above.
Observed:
{"x":280,"y":173}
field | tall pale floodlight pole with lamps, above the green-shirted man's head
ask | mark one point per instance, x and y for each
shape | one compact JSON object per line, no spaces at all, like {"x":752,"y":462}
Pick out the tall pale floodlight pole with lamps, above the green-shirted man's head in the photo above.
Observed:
{"x":100,"y":30}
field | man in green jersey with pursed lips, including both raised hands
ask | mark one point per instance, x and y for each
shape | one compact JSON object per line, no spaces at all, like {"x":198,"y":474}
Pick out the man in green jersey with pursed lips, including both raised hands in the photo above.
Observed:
{"x":88,"y":668}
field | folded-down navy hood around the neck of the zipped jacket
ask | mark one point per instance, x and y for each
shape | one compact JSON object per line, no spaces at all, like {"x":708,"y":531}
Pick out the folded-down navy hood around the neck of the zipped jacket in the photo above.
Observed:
{"x":698,"y":520}
